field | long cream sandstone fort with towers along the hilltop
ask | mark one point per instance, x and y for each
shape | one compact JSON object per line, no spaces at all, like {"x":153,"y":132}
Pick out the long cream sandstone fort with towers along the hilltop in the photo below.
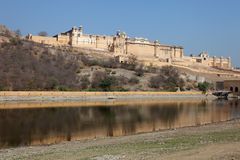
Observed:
{"x":149,"y":53}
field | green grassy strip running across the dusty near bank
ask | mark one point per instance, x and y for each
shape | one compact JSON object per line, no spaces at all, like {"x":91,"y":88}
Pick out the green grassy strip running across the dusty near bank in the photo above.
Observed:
{"x":146,"y":148}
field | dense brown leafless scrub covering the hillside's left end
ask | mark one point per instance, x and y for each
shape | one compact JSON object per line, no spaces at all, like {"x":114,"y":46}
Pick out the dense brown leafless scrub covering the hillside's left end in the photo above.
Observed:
{"x":23,"y":69}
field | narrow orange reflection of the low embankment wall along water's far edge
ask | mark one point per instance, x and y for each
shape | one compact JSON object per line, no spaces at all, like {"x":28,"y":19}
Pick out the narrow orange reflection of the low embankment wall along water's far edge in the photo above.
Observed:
{"x":95,"y":103}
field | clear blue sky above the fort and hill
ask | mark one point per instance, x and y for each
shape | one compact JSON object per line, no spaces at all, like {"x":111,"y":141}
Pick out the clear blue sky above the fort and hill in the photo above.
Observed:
{"x":197,"y":25}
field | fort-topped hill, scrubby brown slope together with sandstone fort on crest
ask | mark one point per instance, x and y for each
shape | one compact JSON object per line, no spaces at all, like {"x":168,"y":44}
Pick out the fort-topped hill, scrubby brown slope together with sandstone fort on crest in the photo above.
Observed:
{"x":73,"y":60}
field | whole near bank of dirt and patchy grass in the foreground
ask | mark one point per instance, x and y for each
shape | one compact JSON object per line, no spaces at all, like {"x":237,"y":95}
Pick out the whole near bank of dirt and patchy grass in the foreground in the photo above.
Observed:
{"x":214,"y":141}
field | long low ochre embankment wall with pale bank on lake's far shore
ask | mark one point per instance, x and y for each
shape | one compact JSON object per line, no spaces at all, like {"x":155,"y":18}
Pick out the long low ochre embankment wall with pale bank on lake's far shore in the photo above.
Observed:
{"x":91,"y":96}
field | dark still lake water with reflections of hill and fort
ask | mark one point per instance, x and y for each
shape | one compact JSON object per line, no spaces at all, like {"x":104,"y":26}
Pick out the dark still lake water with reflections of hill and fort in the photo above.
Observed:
{"x":56,"y":123}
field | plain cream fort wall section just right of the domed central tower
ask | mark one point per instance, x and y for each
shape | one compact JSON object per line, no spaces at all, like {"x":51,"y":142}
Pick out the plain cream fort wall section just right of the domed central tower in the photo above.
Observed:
{"x":140,"y":50}
